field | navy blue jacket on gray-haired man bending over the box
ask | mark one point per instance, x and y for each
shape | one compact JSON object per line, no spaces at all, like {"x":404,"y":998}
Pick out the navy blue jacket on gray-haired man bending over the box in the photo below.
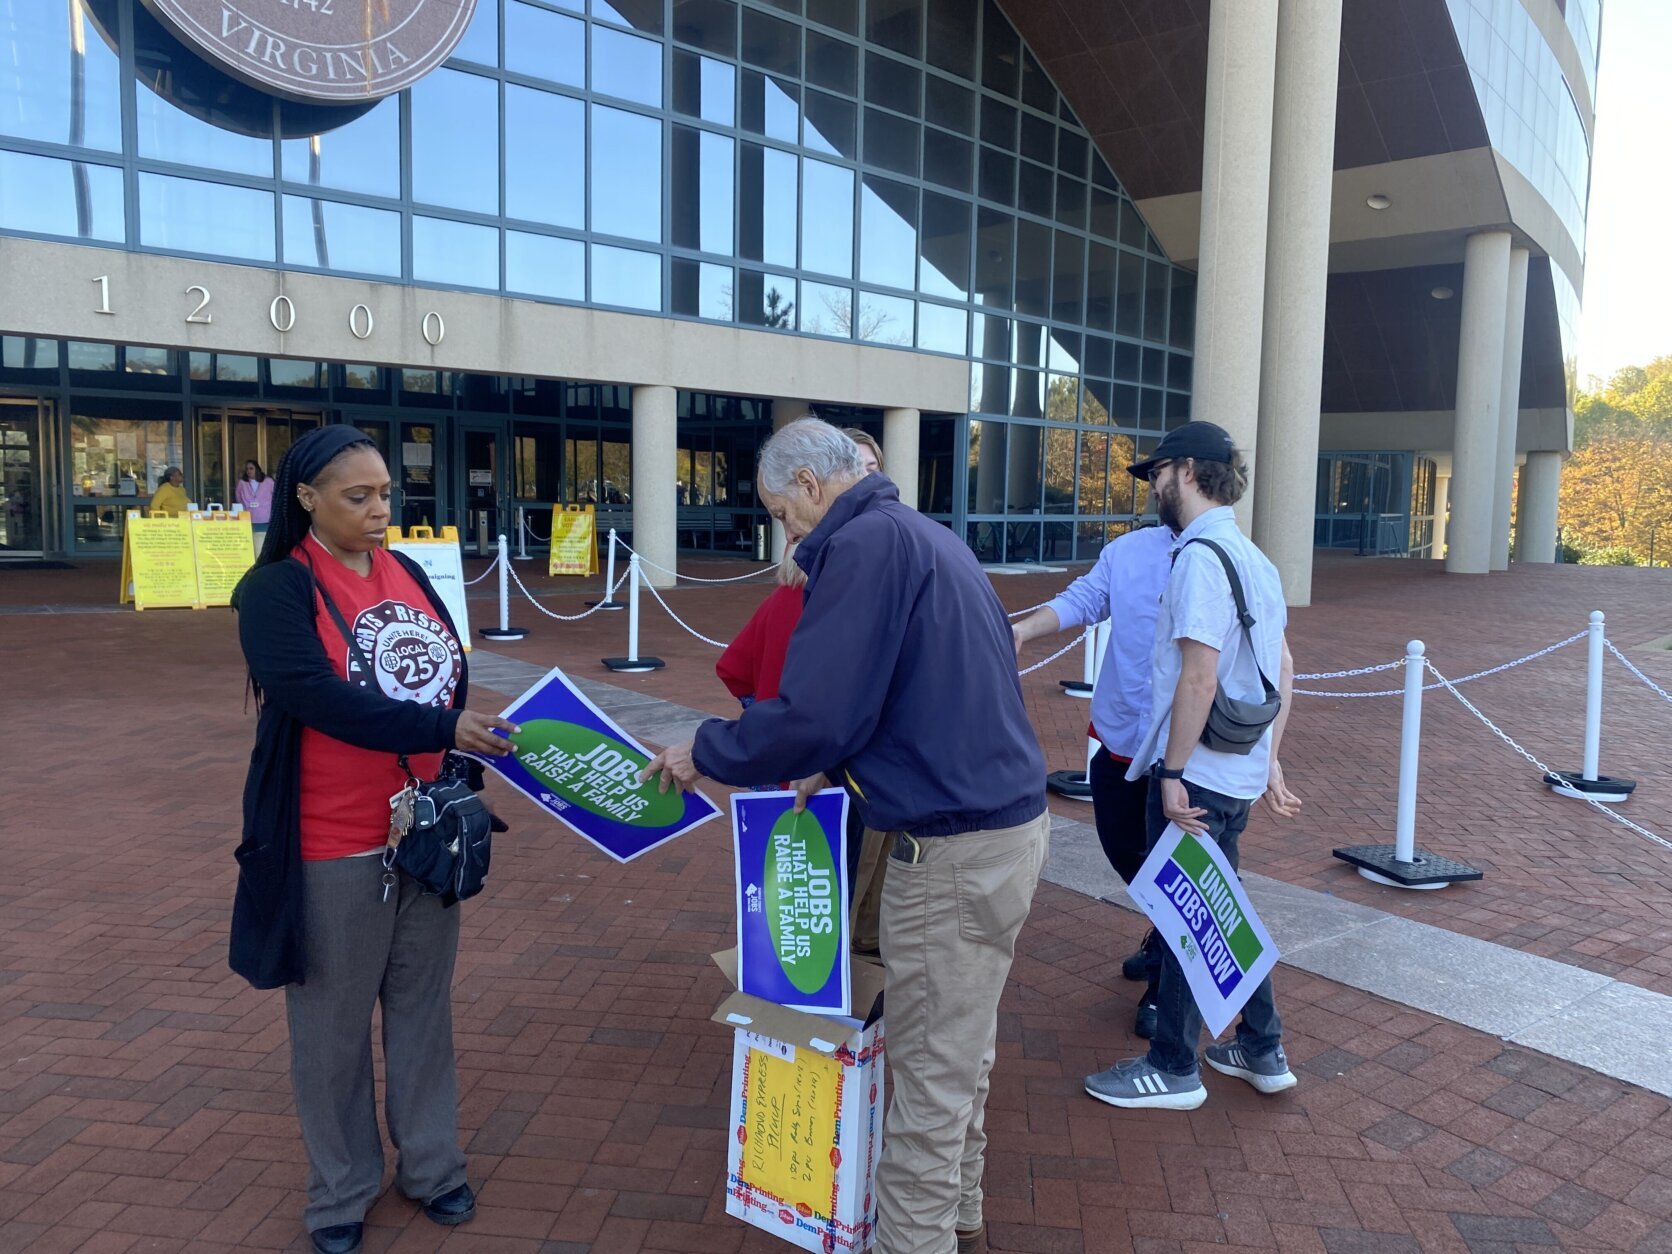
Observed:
{"x":902,"y":671}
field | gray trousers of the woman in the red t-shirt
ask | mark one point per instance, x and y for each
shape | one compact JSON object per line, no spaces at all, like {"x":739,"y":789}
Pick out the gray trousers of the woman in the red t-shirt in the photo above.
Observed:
{"x":364,"y":951}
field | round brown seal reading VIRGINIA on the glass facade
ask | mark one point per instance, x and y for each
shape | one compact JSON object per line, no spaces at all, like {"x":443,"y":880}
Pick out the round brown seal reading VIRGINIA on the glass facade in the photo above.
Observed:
{"x":312,"y":51}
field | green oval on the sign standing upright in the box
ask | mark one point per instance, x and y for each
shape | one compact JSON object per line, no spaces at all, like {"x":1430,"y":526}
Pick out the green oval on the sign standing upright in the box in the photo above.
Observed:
{"x":803,"y":899}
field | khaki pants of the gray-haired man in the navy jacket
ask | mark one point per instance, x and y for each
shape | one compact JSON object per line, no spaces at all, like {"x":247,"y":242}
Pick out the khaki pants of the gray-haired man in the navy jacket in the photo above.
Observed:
{"x":949,"y":935}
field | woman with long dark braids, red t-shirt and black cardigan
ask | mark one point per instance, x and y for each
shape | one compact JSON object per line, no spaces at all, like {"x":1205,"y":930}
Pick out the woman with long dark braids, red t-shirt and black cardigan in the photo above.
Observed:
{"x":315,"y":912}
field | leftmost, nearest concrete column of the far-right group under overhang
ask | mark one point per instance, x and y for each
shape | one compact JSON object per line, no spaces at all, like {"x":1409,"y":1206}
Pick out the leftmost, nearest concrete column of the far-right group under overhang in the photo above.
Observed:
{"x":1481,"y":394}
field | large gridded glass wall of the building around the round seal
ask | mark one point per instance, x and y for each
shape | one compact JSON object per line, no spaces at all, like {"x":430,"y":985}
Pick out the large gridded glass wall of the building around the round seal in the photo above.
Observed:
{"x":900,"y":173}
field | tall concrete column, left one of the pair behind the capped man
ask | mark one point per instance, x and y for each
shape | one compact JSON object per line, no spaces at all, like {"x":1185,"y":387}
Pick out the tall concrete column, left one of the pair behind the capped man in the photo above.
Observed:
{"x":1236,"y":188}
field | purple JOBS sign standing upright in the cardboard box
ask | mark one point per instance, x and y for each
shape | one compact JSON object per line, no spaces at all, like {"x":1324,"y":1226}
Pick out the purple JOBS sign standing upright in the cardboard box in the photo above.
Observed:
{"x":792,"y":924}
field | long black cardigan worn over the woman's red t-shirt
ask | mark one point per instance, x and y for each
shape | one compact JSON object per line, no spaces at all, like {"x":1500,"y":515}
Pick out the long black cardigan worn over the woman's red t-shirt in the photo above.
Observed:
{"x":298,"y":688}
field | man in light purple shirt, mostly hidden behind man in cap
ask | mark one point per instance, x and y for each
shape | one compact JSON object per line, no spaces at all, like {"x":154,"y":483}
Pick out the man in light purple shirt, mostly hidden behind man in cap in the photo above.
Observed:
{"x":1126,"y":588}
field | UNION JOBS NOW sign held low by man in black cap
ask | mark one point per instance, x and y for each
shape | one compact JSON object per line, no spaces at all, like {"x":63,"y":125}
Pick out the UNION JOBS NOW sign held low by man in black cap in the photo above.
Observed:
{"x":1200,"y":909}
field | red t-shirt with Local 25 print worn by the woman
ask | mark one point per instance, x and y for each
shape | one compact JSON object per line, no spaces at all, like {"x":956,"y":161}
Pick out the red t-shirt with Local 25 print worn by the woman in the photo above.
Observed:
{"x":345,"y":788}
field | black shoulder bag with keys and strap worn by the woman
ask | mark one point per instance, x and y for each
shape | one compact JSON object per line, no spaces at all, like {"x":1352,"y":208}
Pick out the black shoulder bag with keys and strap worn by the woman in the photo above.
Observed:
{"x":441,"y":832}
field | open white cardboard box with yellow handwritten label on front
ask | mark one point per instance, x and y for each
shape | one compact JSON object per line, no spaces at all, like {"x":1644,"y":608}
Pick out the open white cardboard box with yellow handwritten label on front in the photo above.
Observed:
{"x":807,"y":1116}
